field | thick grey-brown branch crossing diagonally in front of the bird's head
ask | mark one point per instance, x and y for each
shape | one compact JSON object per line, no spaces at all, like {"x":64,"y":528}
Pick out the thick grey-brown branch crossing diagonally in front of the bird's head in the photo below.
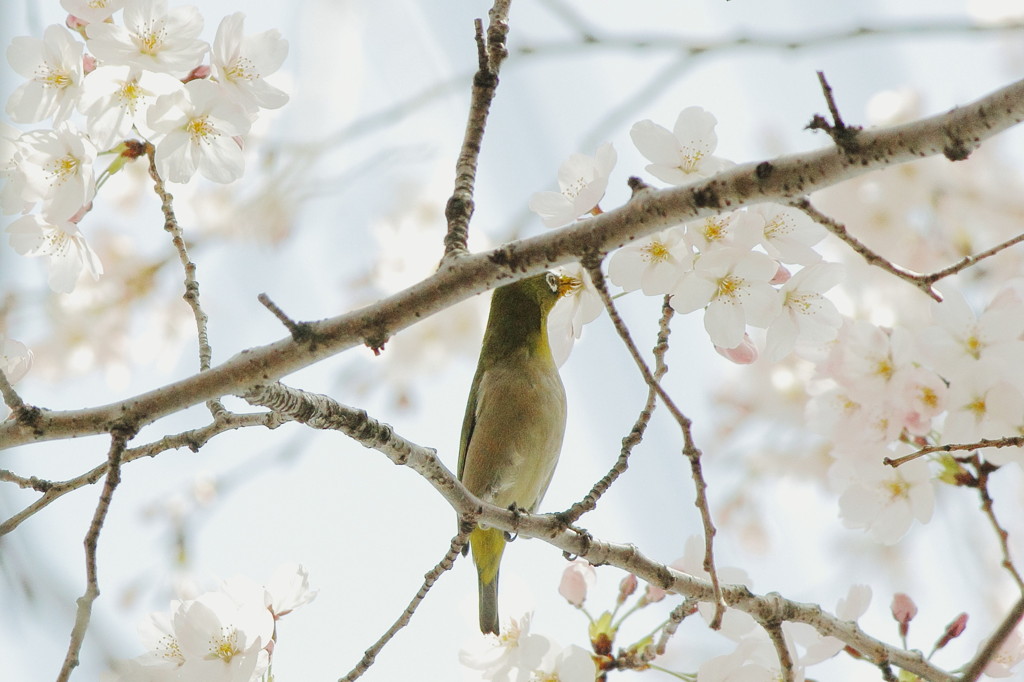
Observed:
{"x":780,"y":181}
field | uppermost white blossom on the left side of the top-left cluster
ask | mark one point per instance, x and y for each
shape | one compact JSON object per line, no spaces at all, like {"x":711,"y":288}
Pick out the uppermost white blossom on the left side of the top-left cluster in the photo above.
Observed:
{"x":54,"y":67}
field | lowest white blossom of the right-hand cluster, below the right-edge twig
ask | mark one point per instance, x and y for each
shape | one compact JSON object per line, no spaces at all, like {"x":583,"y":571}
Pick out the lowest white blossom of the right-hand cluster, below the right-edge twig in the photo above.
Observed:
{"x":883,"y":500}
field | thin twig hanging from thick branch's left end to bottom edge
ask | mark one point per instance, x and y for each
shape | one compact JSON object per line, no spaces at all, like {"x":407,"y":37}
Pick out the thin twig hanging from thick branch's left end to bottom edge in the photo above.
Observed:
{"x":118,"y":442}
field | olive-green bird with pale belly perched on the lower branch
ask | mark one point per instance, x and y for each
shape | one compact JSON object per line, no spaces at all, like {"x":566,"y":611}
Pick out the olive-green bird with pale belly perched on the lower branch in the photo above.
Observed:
{"x":516,"y":420}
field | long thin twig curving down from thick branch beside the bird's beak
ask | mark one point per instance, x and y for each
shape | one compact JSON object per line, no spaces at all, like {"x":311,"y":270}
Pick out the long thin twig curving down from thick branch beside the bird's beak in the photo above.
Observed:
{"x":690,"y":448}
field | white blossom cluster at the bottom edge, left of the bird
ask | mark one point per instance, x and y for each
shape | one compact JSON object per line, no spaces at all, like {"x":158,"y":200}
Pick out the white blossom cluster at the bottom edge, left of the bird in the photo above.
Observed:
{"x":228,"y":635}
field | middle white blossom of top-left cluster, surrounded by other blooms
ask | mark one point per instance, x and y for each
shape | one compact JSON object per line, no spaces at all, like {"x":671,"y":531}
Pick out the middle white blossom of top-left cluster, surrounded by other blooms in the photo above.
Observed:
{"x":115,"y":100}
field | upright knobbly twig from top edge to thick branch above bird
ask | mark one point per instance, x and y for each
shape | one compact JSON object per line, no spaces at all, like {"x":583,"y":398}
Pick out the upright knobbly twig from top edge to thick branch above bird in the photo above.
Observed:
{"x":492,"y":52}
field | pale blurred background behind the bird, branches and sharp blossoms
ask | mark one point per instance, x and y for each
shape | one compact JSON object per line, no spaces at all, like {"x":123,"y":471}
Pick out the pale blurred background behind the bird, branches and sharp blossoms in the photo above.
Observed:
{"x":344,"y":202}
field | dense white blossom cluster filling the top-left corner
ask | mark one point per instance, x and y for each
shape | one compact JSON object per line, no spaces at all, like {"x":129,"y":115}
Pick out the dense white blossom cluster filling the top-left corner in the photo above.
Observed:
{"x":101,"y":82}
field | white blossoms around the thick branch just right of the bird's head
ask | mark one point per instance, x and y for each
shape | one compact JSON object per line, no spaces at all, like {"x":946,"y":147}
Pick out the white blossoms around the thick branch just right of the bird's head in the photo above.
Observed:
{"x":738,"y":267}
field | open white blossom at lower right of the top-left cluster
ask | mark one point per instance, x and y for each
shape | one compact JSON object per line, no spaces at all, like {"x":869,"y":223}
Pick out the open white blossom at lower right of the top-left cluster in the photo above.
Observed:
{"x":196,"y":130}
